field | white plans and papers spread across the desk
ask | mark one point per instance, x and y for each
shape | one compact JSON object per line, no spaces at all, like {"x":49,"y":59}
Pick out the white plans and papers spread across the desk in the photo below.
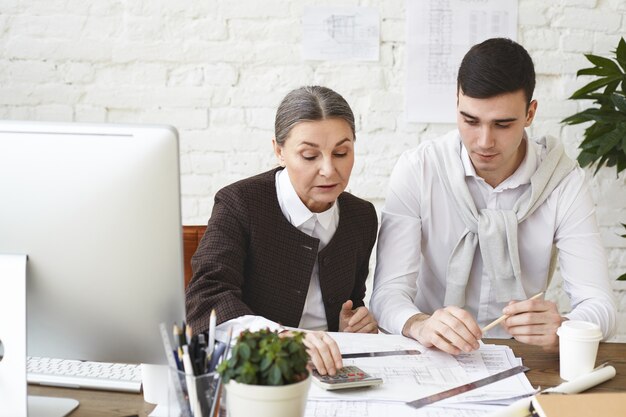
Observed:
{"x":411,"y":377}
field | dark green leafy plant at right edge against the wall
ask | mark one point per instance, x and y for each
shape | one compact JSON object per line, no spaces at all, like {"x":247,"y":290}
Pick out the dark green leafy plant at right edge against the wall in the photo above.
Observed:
{"x":604,"y":140}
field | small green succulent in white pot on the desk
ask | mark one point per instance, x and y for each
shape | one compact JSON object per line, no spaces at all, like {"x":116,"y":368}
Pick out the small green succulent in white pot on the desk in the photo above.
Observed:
{"x":266,"y":375}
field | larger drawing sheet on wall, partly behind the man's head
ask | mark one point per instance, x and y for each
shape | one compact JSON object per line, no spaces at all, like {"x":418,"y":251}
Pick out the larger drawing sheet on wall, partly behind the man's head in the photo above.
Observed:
{"x":439,"y":33}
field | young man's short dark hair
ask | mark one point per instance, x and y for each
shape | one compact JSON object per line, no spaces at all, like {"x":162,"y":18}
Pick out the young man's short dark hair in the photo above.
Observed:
{"x":494,"y":67}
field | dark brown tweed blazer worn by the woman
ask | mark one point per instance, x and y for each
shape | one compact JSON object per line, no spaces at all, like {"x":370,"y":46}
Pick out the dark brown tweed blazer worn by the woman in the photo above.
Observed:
{"x":251,"y":260}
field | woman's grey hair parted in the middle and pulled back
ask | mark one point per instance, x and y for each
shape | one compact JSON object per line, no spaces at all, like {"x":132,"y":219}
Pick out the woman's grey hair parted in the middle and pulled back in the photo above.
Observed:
{"x":307,"y":104}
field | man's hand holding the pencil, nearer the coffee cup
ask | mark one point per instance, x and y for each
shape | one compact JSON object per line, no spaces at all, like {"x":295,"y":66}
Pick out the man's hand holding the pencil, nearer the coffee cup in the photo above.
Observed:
{"x":534,"y":322}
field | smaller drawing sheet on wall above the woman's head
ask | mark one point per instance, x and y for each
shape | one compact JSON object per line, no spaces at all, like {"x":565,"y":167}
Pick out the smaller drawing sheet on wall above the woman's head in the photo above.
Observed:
{"x":340,"y":33}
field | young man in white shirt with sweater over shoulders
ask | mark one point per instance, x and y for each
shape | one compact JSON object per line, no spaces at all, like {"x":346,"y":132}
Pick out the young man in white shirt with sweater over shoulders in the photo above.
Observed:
{"x":474,"y":220}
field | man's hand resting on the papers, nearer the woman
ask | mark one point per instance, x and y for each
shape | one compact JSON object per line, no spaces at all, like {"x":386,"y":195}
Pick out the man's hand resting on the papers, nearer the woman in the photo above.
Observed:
{"x":450,"y":329}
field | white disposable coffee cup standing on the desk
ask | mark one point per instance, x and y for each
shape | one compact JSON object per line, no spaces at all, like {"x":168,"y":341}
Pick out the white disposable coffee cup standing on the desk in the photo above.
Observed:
{"x":578,"y":347}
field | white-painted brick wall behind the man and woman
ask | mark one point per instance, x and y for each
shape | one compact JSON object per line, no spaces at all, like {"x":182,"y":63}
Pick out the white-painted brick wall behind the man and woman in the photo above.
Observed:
{"x":217,"y":69}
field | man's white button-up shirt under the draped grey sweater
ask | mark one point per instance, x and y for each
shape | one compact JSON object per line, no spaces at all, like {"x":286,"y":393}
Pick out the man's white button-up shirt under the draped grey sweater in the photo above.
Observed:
{"x":419,"y":229}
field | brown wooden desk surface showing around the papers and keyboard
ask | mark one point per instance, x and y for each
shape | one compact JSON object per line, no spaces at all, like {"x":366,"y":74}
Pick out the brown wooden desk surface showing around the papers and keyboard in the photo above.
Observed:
{"x":544,"y":371}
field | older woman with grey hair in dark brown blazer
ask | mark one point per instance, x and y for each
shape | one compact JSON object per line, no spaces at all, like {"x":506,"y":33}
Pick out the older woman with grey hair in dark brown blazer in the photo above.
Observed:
{"x":290,"y":245}
